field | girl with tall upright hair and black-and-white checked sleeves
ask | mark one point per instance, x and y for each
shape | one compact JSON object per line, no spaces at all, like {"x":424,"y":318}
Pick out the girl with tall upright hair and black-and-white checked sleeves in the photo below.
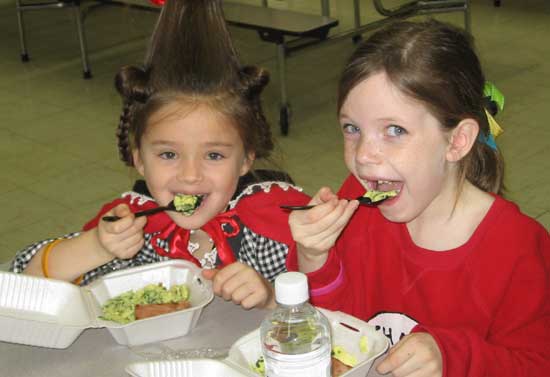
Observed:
{"x":192,"y":125}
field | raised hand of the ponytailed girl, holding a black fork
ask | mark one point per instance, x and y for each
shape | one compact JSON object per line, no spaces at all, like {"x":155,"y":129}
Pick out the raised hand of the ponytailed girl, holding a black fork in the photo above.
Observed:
{"x":316,"y":230}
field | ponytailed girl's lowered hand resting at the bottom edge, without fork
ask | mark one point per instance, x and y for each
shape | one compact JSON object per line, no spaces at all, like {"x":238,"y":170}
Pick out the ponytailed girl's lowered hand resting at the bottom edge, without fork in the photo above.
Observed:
{"x":417,"y":355}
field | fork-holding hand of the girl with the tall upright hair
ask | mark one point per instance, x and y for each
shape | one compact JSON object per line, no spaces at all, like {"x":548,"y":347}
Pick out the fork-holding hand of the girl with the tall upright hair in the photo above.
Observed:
{"x":122,"y":238}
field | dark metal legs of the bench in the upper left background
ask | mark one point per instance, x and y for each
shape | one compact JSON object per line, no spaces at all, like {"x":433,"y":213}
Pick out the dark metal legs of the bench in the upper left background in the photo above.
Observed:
{"x":25,"y":6}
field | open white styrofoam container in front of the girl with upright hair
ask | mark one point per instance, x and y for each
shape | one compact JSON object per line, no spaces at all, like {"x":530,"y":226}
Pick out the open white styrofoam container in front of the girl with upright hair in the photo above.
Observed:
{"x":52,"y":313}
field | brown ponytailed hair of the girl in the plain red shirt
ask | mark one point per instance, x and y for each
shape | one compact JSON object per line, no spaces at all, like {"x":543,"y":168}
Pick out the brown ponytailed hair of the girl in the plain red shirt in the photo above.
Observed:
{"x":434,"y":63}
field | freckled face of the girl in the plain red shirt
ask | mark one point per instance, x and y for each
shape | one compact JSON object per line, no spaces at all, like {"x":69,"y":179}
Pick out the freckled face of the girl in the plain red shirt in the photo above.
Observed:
{"x":392,"y":142}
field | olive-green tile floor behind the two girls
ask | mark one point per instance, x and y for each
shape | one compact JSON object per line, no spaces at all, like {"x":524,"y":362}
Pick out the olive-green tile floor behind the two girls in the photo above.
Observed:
{"x":57,"y":145}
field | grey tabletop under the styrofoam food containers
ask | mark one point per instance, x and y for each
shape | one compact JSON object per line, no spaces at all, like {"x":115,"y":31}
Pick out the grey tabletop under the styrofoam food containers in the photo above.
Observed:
{"x":96,"y":354}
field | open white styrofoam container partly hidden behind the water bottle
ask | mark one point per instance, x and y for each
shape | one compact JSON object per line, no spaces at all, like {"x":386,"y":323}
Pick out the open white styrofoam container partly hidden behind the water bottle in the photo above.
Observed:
{"x":246,"y":351}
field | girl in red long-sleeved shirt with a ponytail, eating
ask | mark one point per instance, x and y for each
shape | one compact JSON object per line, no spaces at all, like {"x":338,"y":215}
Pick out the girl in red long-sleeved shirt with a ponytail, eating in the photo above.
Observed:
{"x":454,"y":274}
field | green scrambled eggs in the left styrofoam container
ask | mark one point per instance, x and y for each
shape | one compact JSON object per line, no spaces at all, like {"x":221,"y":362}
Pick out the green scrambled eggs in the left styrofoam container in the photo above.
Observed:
{"x":121,"y":308}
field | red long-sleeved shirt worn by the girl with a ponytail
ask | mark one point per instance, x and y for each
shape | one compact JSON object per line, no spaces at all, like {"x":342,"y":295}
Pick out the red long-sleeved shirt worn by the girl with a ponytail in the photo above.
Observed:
{"x":486,"y":302}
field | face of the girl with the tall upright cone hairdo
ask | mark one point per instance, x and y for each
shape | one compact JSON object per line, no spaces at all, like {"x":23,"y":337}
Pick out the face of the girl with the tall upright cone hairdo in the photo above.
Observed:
{"x":192,"y":150}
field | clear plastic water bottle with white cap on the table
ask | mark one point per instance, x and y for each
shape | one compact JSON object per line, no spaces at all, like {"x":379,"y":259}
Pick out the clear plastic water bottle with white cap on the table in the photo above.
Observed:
{"x":296,"y":338}
